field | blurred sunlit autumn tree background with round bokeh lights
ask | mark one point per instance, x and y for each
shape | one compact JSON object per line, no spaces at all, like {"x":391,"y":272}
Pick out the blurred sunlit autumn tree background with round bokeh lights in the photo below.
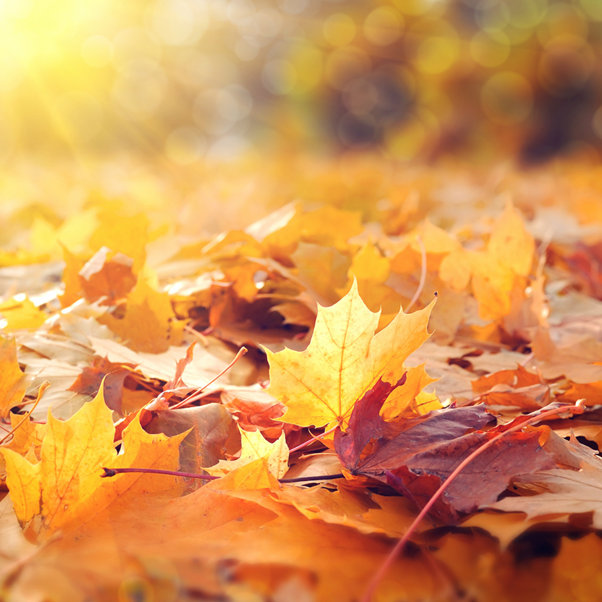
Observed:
{"x":189,"y":81}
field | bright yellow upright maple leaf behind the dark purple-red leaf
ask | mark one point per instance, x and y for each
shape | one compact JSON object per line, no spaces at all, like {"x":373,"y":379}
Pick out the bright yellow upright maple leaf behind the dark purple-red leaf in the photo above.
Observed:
{"x":343,"y":360}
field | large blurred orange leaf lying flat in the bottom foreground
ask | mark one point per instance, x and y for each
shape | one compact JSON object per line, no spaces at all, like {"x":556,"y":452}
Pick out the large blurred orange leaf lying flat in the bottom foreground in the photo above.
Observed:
{"x":192,"y":536}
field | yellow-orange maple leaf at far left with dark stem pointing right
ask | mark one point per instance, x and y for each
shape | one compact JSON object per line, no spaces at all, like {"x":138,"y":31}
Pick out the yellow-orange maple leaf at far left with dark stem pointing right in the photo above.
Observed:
{"x":66,"y":486}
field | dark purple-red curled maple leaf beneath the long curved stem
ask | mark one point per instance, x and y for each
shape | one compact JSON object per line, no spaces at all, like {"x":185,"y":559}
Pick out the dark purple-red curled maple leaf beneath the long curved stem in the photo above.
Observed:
{"x":416,"y":455}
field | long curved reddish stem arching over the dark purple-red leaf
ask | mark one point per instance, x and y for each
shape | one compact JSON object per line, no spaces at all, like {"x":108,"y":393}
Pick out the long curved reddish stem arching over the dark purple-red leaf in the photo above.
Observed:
{"x":384,"y":569}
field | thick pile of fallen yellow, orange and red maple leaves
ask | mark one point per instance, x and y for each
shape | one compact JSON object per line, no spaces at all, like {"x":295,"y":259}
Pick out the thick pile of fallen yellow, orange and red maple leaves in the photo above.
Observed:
{"x":251,"y":416}
